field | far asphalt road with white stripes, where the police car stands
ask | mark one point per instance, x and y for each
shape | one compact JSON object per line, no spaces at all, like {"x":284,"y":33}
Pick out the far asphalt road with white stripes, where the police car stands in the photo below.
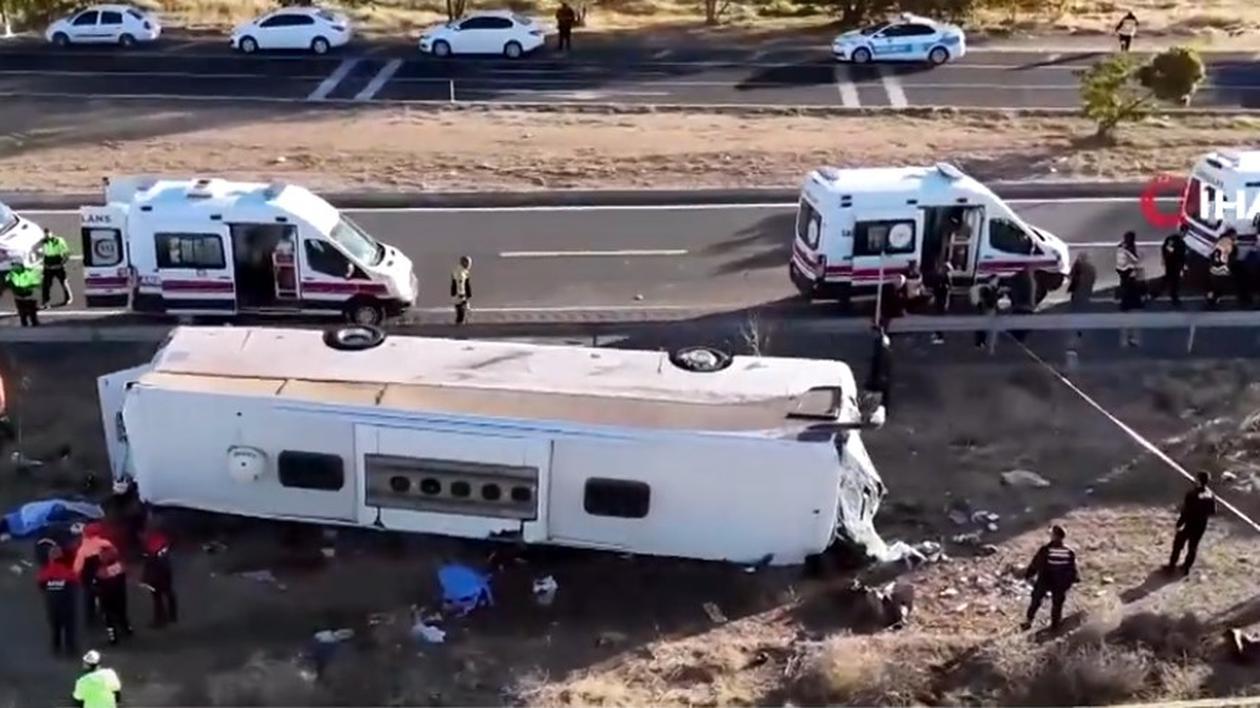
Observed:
{"x":774,"y":76}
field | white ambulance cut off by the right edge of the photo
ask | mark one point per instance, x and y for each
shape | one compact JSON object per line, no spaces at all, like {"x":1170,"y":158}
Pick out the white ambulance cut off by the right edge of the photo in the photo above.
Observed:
{"x":1225,"y":176}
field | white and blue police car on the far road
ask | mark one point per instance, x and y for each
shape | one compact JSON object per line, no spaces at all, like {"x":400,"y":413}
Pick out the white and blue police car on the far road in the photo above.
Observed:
{"x":909,"y":38}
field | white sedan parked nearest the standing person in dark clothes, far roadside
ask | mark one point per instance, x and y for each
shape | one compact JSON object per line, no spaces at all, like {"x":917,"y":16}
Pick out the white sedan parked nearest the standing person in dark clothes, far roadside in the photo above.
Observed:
{"x":484,"y":33}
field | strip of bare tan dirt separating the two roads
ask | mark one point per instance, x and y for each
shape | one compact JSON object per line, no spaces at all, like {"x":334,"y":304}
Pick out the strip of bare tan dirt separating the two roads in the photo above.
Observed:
{"x":404,"y":149}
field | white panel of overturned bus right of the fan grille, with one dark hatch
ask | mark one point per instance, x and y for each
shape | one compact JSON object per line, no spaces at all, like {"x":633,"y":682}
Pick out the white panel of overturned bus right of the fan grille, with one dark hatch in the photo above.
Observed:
{"x":709,"y":497}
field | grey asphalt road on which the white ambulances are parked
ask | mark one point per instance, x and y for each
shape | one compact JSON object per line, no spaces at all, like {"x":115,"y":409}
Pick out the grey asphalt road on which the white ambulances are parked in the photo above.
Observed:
{"x":571,"y":264}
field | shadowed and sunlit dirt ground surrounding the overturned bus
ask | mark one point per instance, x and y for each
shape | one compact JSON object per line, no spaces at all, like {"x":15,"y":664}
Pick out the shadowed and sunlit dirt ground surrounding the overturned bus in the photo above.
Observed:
{"x":962,"y":420}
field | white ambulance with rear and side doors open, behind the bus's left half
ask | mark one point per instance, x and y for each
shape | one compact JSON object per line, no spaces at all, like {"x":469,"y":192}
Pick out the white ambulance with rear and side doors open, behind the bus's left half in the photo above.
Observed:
{"x":217,"y":248}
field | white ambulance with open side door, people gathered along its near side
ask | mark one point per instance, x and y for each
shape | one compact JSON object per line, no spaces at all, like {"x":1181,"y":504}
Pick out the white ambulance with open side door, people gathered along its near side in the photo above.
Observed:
{"x":860,"y":227}
